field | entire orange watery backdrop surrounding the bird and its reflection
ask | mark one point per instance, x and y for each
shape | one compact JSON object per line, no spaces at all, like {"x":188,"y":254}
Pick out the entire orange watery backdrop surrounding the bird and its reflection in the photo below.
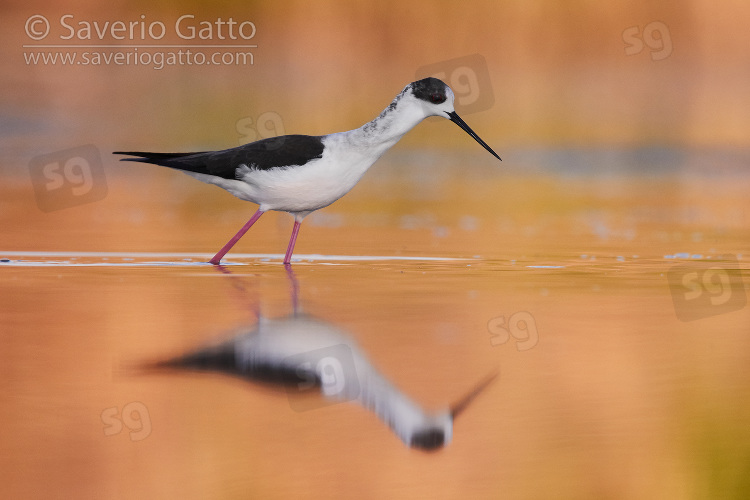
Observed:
{"x":624,"y":132}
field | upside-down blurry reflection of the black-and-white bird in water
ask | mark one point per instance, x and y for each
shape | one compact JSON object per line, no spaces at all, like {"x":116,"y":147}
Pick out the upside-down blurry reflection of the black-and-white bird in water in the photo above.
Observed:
{"x":305,"y":354}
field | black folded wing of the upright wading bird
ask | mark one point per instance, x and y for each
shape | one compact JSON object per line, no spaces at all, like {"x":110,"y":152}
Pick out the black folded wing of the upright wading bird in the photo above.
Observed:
{"x":275,"y":152}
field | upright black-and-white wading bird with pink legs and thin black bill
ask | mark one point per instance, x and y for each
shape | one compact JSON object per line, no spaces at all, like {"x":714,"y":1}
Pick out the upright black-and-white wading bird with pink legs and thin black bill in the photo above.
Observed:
{"x":300,"y":174}
